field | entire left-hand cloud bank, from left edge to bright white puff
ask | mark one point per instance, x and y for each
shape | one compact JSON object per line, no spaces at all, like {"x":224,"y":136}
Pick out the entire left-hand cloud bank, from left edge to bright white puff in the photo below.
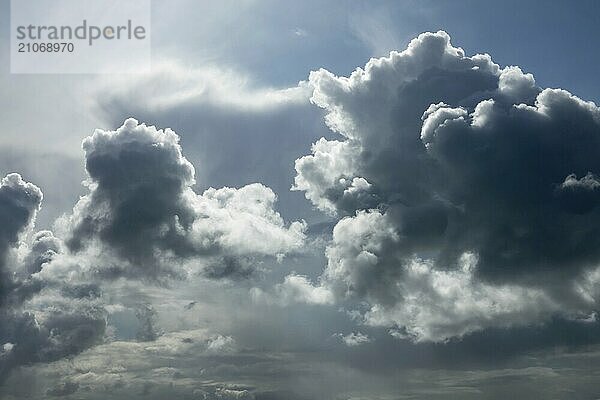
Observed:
{"x":141,"y":220}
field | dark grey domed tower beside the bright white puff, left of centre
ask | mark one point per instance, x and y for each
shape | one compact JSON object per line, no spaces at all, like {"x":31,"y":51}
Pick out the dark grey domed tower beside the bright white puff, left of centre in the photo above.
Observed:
{"x":139,"y":178}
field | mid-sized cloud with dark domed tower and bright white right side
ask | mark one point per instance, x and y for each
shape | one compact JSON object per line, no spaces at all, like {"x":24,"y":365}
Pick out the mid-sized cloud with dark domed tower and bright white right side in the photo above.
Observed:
{"x":142,"y":207}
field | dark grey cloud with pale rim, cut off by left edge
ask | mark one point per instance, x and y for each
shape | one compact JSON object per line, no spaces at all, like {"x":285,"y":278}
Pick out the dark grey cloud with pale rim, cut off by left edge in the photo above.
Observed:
{"x":29,"y":333}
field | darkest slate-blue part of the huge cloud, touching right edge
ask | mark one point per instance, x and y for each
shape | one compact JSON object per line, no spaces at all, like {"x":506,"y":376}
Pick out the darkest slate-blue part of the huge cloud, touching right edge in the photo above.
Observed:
{"x":513,"y":171}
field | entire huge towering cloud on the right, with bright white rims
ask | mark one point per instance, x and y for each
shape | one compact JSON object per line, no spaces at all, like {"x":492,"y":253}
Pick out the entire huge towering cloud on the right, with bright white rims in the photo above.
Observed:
{"x":467,"y":195}
